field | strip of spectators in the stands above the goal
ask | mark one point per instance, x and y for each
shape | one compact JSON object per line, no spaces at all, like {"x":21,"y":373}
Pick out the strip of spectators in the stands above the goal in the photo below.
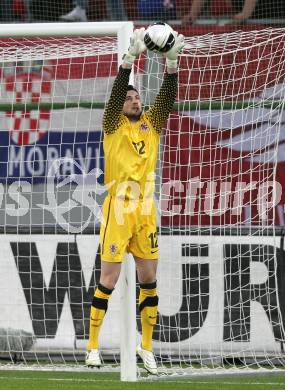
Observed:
{"x":188,"y":11}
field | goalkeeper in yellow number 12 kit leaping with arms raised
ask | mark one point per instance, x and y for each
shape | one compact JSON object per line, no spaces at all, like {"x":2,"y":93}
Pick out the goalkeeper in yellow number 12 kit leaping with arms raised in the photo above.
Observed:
{"x":131,"y":140}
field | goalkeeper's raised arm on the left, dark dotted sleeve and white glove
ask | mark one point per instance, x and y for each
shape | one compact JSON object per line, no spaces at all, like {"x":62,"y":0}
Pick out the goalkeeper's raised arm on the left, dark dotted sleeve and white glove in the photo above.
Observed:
{"x":113,"y":112}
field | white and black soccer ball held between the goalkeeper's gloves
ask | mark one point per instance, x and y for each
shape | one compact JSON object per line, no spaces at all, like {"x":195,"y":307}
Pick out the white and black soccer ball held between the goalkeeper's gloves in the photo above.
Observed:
{"x":159,"y":37}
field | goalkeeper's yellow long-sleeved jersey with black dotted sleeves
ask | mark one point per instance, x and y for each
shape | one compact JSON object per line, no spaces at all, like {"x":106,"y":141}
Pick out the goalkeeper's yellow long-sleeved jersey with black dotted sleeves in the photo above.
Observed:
{"x":131,"y":148}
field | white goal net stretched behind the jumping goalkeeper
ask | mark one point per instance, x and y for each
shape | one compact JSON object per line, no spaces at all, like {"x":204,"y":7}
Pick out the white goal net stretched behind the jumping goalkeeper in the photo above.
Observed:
{"x":218,"y":197}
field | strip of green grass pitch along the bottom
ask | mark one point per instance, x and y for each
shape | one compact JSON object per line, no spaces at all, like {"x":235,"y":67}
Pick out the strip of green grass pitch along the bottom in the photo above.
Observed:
{"x":31,"y":380}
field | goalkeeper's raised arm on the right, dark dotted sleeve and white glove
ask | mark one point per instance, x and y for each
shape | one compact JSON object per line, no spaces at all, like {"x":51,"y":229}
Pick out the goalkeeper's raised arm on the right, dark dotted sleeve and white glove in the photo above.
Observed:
{"x":165,"y":99}
